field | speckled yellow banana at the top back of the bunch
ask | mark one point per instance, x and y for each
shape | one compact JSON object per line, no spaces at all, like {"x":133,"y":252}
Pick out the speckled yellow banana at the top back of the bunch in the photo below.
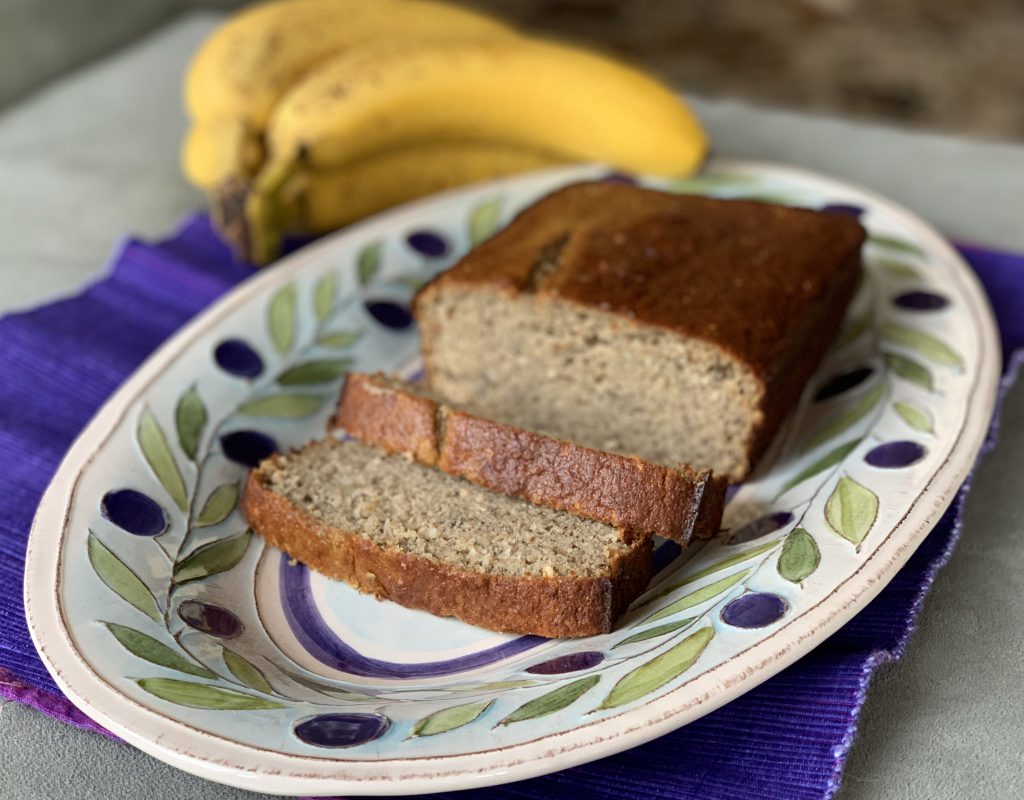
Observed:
{"x":246,"y":66}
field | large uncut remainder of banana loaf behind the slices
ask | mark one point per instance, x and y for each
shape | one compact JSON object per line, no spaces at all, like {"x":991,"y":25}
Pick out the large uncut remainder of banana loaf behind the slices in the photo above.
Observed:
{"x":678,"y":329}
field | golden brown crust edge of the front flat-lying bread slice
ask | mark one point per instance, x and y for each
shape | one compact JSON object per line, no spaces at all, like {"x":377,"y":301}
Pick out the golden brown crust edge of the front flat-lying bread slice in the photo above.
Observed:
{"x":561,"y":607}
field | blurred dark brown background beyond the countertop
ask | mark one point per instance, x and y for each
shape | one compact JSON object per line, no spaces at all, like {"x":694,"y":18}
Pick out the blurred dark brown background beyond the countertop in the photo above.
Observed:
{"x":948,"y":65}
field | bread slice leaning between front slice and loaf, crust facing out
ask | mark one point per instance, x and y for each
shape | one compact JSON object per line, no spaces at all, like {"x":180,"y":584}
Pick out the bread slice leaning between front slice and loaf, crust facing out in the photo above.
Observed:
{"x":630,"y":493}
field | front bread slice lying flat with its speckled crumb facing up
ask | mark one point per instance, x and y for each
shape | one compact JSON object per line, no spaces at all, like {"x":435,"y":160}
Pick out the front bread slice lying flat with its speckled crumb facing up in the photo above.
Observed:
{"x":411,"y":534}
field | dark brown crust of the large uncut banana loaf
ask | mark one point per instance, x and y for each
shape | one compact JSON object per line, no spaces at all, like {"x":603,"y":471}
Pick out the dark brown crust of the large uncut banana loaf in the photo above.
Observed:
{"x":766,"y":284}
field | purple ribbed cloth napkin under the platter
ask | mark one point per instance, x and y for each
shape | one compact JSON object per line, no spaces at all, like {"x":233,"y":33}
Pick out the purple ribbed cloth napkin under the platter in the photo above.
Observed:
{"x":787,"y":739}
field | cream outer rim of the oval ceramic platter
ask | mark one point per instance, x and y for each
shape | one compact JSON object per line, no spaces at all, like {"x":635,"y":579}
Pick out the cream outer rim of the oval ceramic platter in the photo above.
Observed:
{"x":286,"y":774}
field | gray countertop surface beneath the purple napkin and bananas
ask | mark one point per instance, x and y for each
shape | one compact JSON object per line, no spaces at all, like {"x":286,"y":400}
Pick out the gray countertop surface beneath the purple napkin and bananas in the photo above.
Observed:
{"x":96,"y":156}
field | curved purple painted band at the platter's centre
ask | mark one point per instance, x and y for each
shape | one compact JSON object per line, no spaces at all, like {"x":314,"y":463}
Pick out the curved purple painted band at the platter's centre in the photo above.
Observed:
{"x":324,"y":645}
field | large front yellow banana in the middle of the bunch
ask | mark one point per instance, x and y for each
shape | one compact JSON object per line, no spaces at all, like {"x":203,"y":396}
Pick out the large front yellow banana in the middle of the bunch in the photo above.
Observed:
{"x":531,"y":94}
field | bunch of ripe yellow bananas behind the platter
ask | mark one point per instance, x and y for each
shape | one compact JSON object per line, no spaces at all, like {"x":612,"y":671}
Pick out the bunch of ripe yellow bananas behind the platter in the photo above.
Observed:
{"x":311,"y":114}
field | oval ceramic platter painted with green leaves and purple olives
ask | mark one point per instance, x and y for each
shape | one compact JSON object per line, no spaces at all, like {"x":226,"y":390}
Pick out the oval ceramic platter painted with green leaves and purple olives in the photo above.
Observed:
{"x":166,"y":620}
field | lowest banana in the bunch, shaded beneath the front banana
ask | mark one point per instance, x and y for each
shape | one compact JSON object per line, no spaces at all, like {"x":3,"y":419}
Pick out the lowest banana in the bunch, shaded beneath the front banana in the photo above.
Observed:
{"x":311,"y":202}
